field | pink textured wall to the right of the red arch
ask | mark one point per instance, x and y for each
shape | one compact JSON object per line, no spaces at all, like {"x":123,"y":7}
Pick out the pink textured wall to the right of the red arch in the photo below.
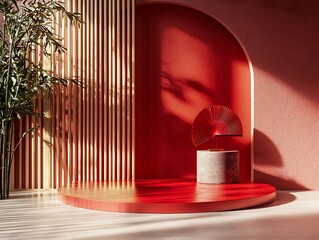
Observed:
{"x":282,"y":40}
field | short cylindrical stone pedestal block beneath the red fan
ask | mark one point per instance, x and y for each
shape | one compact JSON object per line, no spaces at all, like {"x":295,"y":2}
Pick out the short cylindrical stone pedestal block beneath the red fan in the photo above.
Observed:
{"x":217,"y":167}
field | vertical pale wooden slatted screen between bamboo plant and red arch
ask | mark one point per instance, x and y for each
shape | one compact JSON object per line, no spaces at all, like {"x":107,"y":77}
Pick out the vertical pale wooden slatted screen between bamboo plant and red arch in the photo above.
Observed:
{"x":87,"y":133}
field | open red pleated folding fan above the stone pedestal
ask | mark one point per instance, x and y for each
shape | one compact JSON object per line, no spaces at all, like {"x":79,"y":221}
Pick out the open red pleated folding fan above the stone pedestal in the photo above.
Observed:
{"x":215,"y":120}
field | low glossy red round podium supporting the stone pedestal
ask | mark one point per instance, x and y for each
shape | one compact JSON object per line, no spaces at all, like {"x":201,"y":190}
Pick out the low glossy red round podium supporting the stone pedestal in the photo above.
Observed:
{"x":165,"y":196}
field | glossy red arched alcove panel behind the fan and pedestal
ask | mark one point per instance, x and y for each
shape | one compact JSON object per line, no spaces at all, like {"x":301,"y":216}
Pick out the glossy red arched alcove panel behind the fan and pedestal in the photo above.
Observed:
{"x":185,"y":60}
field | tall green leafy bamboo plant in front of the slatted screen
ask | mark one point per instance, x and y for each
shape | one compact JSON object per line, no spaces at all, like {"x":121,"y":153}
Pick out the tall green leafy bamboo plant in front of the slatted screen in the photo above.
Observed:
{"x":26,"y":28}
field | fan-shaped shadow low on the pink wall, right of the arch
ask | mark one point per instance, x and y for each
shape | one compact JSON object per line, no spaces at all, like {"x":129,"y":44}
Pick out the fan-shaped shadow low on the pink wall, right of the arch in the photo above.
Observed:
{"x":267,"y":155}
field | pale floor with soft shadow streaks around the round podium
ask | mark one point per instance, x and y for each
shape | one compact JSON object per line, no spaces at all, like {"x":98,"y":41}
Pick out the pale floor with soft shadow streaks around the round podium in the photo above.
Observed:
{"x":39,"y":215}
